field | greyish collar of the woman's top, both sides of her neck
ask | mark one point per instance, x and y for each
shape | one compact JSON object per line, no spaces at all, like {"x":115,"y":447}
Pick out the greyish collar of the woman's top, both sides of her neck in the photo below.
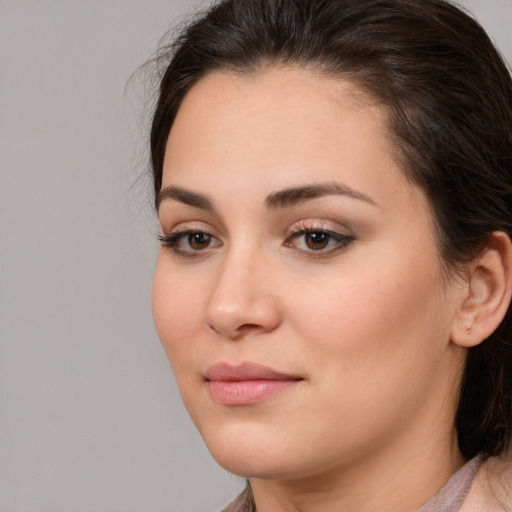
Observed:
{"x":449,"y":498}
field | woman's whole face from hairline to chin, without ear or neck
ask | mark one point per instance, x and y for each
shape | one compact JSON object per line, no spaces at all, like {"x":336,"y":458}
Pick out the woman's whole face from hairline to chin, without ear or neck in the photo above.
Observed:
{"x":298,"y":292}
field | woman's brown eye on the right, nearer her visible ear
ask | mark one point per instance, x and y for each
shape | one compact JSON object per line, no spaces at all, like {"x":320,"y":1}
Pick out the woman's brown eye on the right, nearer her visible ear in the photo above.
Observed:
{"x":318,"y":240}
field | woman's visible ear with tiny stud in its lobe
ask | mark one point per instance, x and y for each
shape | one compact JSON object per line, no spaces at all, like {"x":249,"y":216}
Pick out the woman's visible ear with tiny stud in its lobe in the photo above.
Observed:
{"x":487,"y":293}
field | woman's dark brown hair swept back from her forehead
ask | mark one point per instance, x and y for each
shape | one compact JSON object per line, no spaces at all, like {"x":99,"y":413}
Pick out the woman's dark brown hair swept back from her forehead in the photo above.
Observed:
{"x":449,"y":97}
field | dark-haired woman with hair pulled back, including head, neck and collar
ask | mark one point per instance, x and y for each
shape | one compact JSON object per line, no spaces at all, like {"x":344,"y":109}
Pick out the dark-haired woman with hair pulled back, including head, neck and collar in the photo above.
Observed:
{"x":333,"y":181}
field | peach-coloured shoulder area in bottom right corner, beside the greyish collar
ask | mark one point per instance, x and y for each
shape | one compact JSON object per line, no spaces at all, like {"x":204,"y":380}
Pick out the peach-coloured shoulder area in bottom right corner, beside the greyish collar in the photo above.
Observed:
{"x":492,"y":488}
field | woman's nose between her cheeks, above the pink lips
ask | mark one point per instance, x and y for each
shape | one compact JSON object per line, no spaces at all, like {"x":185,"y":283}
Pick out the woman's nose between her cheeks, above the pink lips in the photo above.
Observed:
{"x":242,"y":301}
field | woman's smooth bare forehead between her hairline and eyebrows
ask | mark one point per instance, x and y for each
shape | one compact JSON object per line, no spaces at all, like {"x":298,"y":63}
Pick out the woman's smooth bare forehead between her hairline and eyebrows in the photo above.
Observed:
{"x":256,"y":133}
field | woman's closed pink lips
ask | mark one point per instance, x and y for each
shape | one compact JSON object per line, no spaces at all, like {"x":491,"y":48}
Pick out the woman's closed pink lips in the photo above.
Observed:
{"x":246,"y":384}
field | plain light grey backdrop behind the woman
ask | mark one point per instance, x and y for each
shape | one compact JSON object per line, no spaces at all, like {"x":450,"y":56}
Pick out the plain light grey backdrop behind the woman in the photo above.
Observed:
{"x":90,"y":419}
